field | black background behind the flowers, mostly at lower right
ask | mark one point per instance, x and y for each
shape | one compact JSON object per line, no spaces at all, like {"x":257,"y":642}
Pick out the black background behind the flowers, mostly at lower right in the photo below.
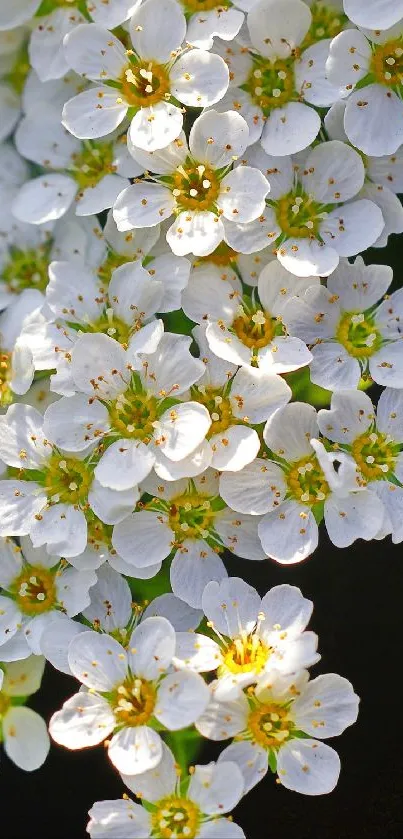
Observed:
{"x":358,"y":616}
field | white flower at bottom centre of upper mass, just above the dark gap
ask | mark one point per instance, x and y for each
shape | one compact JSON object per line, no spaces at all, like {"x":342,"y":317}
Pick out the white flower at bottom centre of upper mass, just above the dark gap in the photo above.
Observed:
{"x":187,"y":518}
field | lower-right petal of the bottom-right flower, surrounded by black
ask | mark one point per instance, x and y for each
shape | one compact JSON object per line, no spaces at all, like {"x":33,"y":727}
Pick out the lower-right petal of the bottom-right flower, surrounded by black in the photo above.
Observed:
{"x":308,"y":766}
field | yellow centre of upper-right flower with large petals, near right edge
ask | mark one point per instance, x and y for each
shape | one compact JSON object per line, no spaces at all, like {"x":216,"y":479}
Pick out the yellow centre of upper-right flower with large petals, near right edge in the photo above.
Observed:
{"x":298,"y":216}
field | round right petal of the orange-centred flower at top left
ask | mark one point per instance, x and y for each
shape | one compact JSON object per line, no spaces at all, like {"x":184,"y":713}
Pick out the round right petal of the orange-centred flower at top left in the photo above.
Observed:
{"x":199,"y":78}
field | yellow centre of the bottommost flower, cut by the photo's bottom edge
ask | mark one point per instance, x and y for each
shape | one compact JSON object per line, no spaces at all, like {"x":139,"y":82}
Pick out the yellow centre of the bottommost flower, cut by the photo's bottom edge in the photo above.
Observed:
{"x":175,"y":818}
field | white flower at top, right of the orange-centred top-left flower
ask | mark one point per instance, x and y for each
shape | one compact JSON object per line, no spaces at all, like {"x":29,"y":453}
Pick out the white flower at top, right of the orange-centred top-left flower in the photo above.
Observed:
{"x":280,"y":80}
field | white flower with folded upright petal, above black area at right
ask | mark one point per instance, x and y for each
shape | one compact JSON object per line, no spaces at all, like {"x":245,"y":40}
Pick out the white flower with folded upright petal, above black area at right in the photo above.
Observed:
{"x":297,"y":485}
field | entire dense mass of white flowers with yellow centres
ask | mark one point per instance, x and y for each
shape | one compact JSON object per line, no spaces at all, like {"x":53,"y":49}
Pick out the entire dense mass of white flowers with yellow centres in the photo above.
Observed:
{"x":187,"y":332}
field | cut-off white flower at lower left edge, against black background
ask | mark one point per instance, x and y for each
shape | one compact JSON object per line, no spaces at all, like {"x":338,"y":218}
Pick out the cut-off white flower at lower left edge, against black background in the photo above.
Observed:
{"x":23,"y":731}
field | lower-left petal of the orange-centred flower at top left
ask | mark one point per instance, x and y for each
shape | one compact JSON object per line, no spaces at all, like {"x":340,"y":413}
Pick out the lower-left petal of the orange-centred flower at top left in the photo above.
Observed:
{"x":94,"y":113}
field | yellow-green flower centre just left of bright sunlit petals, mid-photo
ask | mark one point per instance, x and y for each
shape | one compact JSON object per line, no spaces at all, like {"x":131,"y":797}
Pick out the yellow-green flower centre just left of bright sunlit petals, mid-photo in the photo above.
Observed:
{"x":133,"y":415}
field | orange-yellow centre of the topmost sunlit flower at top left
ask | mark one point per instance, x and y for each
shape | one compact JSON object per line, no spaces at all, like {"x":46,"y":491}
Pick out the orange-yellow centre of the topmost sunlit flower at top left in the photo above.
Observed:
{"x":144,"y":84}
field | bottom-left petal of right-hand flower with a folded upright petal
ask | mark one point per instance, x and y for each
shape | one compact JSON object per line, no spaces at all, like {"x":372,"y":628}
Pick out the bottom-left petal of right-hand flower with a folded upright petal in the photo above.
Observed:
{"x":290,"y":534}
